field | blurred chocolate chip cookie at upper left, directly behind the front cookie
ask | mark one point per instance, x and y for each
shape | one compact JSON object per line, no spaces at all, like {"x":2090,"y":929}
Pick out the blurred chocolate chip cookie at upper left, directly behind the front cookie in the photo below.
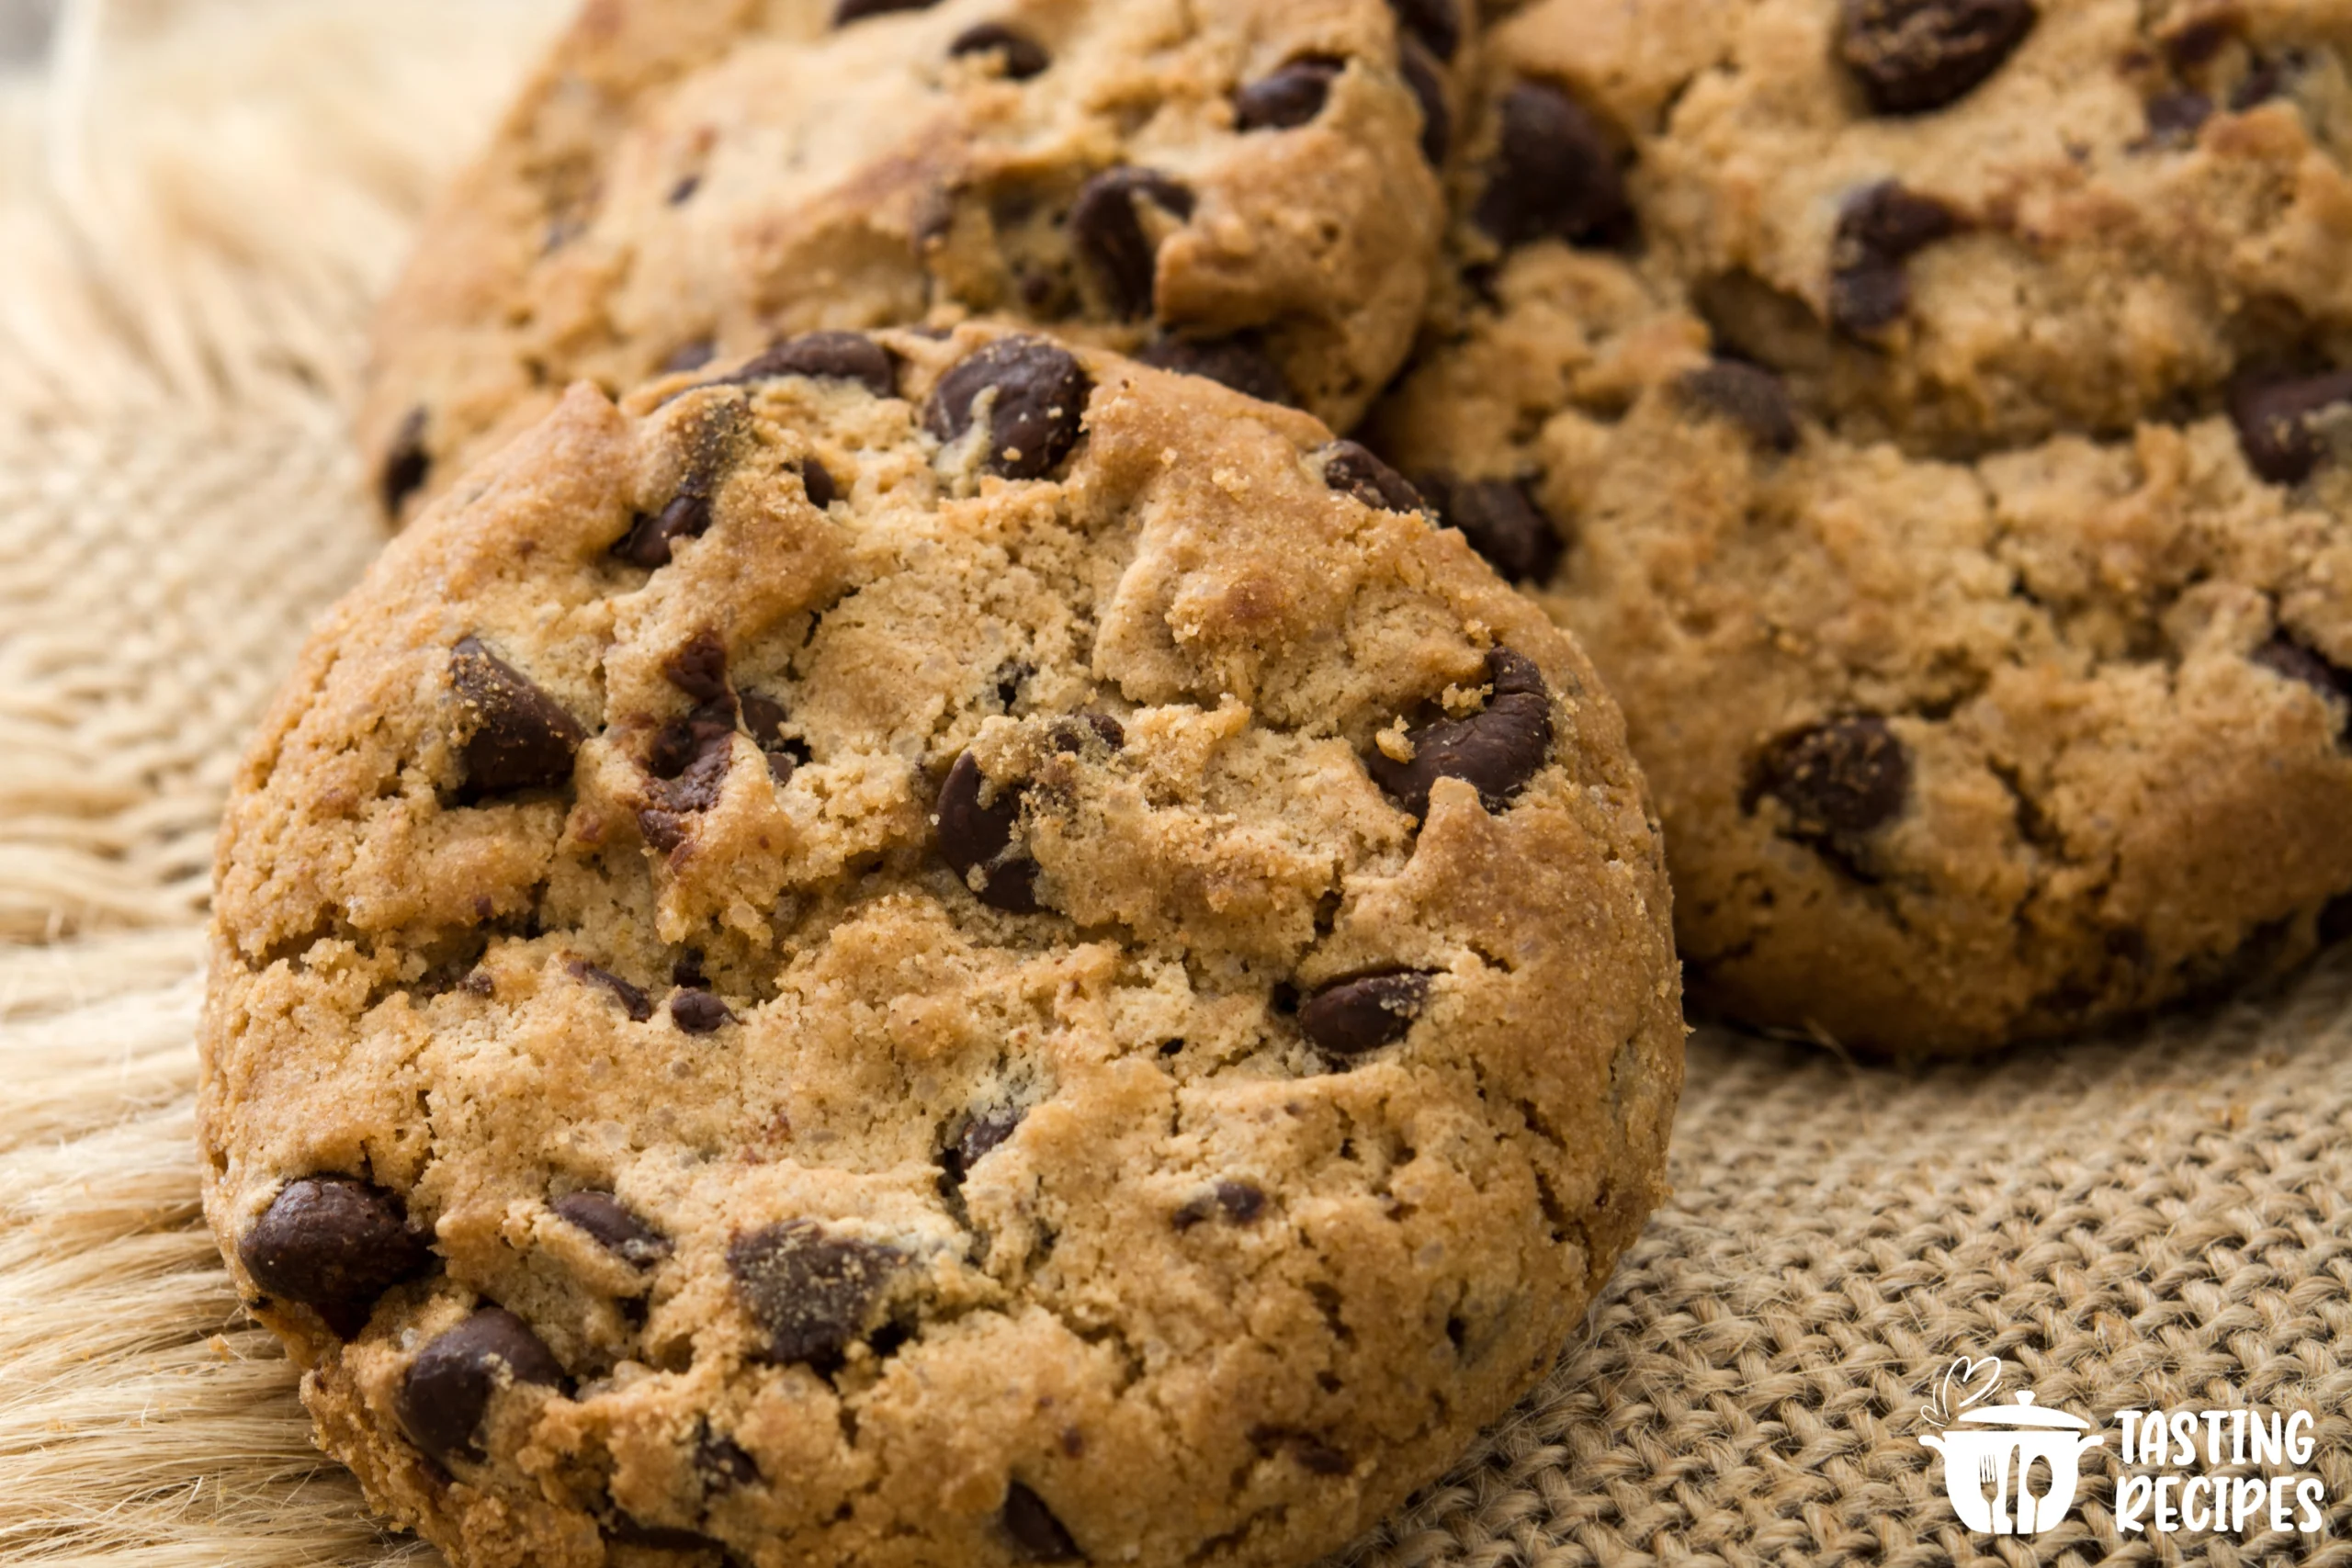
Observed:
{"x":1238,"y":189}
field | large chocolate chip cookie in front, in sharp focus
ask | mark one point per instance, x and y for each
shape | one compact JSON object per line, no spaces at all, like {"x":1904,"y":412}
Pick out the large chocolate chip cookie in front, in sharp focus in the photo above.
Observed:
{"x":930,"y":951}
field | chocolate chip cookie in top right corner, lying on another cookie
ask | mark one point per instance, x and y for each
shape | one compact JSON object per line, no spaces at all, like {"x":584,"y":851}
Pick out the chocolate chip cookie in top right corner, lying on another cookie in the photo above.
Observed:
{"x":1970,"y":225}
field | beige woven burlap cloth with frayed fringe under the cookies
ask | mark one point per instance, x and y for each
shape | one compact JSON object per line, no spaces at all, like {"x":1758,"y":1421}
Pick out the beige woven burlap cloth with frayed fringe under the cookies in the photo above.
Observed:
{"x":194,"y":213}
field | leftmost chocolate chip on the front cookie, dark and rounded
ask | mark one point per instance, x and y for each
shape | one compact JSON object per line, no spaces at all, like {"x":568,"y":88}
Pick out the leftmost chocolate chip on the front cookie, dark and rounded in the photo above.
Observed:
{"x":335,"y":1245}
